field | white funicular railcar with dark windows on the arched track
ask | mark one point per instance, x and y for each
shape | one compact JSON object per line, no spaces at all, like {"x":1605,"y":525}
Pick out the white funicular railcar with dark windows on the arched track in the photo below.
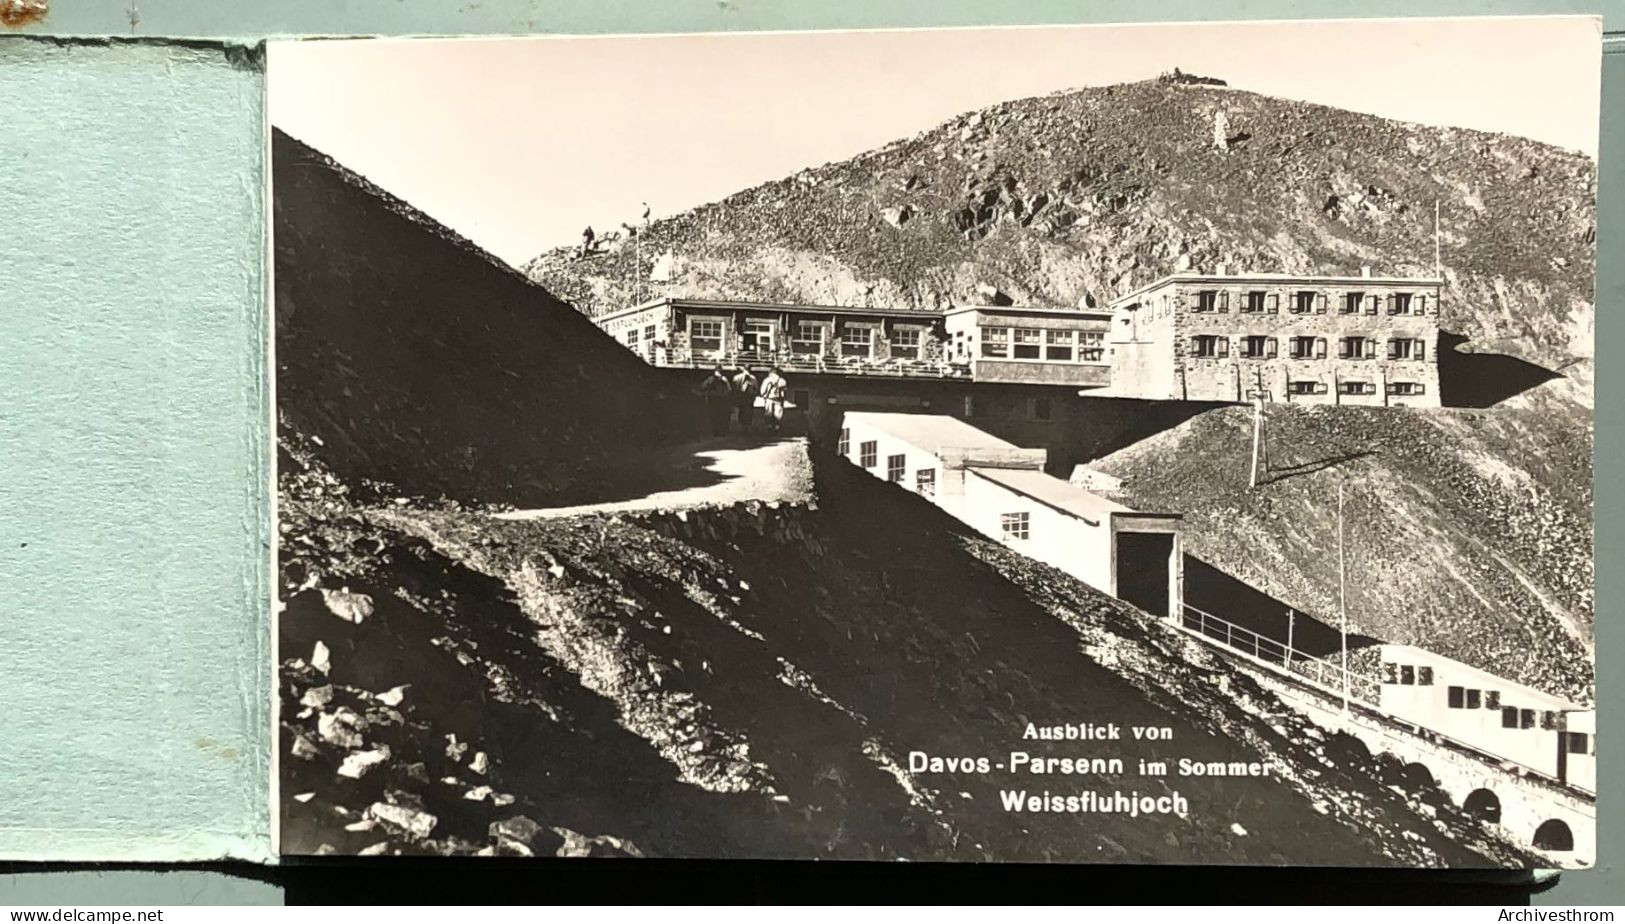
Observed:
{"x":1545,"y":733}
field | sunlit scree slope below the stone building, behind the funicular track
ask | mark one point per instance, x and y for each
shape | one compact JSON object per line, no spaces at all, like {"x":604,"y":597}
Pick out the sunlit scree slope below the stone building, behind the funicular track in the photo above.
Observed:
{"x":1467,"y":532}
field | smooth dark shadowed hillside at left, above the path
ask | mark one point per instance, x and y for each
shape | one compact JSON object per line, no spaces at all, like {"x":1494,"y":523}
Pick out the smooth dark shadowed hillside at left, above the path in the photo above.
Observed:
{"x":420,"y":361}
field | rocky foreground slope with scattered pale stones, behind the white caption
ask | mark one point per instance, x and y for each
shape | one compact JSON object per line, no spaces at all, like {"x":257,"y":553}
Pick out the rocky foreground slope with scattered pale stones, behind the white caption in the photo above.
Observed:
{"x":750,"y":683}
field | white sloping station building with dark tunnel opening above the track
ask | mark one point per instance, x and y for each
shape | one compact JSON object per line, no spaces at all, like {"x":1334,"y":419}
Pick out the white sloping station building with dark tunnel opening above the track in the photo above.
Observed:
{"x":1003,"y":493}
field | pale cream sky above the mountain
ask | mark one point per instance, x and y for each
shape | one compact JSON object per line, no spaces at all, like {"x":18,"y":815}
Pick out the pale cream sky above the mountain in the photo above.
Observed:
{"x":519,"y":144}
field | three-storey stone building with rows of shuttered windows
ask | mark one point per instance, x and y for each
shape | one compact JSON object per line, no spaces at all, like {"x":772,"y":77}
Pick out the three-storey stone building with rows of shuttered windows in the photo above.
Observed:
{"x":1322,"y":340}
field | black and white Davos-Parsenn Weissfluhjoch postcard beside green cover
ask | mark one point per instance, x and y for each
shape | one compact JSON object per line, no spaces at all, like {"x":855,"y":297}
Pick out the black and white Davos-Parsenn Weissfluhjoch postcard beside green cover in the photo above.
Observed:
{"x":1120,"y":444}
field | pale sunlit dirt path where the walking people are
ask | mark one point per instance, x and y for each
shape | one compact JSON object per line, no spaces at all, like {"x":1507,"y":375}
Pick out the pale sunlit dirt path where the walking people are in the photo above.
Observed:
{"x":730,"y":470}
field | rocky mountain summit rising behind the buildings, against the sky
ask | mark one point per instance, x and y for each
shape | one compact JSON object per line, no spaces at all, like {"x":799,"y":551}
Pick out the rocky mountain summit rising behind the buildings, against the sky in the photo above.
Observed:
{"x":1077,"y":197}
